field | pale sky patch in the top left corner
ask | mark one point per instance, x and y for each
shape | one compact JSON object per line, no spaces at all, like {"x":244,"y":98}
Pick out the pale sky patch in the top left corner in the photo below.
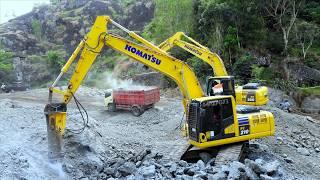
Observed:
{"x":10,"y":9}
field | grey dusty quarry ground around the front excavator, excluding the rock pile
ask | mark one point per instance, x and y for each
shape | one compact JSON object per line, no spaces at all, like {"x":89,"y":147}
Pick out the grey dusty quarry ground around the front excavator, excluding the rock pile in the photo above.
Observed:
{"x":112,"y":136}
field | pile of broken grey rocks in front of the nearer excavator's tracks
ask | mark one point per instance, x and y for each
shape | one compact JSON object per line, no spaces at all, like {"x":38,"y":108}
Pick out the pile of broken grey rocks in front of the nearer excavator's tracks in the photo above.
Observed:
{"x":147,"y":165}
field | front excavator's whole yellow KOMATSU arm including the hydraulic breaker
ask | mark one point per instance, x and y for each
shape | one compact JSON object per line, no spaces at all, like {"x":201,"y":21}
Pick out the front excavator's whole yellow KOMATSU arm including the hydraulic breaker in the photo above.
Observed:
{"x":87,"y":51}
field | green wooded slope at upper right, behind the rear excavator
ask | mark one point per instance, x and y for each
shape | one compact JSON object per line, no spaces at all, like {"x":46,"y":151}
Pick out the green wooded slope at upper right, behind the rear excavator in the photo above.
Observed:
{"x":258,"y":40}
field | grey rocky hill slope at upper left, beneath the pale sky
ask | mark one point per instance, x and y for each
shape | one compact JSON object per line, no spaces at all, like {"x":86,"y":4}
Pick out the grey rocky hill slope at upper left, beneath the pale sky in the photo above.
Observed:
{"x":62,"y":26}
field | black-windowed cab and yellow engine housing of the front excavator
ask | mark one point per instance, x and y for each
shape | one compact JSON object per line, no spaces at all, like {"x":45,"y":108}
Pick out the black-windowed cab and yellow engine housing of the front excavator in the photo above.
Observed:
{"x":213,"y":121}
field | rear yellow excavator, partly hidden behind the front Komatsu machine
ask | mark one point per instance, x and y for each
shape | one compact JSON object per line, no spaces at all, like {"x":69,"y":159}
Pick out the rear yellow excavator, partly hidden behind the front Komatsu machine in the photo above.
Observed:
{"x":249,"y":94}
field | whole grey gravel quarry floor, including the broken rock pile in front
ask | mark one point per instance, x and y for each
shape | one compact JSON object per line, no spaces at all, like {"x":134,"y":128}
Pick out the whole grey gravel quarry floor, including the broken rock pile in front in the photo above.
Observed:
{"x":121,"y":146}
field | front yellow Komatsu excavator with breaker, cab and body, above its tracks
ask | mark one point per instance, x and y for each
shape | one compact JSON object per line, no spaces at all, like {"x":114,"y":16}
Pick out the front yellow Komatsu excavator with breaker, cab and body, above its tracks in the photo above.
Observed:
{"x":211,"y":120}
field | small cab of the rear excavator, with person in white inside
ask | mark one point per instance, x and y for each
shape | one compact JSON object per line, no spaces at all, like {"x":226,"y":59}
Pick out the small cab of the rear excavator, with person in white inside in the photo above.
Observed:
{"x":220,"y":85}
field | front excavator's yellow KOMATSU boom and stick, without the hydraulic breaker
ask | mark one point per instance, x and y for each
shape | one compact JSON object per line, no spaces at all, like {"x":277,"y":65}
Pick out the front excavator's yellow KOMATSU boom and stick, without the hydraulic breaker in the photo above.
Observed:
{"x":147,"y":54}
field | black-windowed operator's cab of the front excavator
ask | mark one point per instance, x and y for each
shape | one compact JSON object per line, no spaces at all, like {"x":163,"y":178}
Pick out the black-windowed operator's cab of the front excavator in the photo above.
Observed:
{"x":209,"y":118}
